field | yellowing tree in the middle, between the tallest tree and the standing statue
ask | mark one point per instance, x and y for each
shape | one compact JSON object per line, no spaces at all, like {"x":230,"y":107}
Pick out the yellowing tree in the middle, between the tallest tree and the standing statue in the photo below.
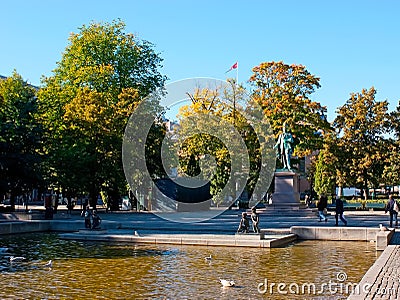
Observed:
{"x":235,"y":135}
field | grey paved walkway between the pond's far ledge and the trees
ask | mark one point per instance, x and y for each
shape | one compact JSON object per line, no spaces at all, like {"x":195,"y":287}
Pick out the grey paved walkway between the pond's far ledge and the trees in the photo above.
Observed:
{"x":227,"y":221}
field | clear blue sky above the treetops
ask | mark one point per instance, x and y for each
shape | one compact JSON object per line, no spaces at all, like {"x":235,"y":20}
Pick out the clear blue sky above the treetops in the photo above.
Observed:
{"x":350,"y":45}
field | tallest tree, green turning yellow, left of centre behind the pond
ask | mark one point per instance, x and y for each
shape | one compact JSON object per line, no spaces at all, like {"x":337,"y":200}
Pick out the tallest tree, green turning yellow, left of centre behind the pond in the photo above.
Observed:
{"x":86,"y":103}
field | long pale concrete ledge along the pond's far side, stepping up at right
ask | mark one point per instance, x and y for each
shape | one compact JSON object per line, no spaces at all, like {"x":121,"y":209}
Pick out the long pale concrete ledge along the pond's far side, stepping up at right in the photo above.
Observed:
{"x":380,"y":238}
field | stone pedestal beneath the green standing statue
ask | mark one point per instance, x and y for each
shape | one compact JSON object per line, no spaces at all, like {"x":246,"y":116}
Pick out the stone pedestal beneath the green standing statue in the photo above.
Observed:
{"x":286,"y":195}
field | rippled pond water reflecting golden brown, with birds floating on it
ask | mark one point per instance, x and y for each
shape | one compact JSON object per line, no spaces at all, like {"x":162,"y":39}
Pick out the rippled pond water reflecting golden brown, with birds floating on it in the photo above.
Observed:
{"x":127,"y":271}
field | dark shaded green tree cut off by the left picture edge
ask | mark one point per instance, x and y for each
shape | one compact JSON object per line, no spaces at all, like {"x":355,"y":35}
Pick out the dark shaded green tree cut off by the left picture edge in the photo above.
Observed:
{"x":20,"y":135}
